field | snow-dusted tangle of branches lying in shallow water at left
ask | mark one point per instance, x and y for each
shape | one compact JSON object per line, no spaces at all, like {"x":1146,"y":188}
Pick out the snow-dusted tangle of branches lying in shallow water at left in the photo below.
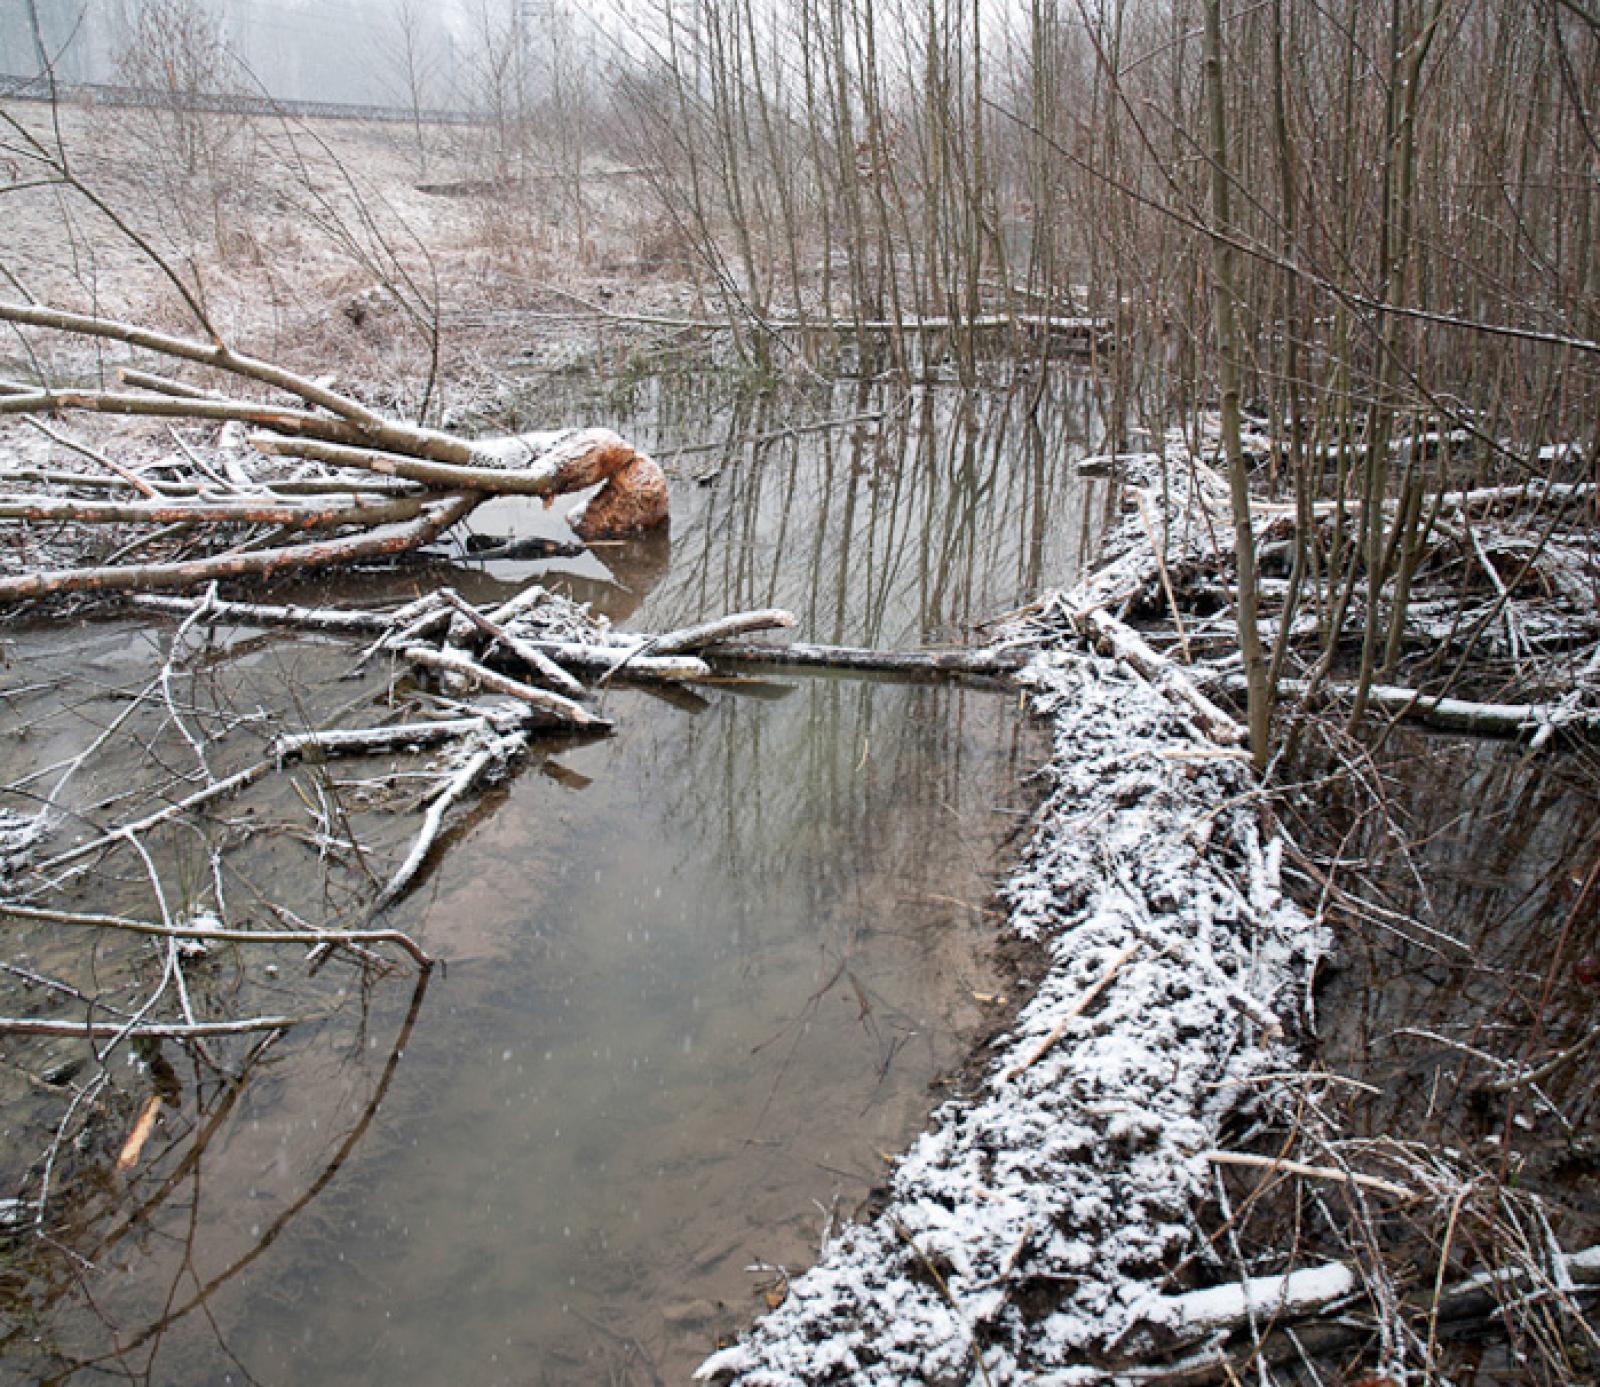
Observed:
{"x":466,"y":693}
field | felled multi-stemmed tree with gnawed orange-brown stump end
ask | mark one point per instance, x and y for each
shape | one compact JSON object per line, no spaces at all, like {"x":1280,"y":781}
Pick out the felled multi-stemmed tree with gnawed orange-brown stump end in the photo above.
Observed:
{"x":318,"y":425}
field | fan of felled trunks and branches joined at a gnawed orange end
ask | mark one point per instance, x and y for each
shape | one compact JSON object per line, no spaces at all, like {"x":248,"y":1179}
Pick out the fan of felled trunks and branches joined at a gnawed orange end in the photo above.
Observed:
{"x":305,"y":476}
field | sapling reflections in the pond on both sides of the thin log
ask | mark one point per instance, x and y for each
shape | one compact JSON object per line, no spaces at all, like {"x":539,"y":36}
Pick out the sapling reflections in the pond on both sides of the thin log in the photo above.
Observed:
{"x":892,"y":532}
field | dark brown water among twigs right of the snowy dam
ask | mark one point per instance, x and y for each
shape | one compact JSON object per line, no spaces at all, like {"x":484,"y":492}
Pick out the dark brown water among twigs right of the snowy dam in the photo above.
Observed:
{"x":1465,"y":953}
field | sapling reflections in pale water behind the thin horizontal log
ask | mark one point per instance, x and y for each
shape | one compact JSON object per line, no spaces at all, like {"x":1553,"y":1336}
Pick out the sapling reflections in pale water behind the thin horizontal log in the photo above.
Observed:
{"x":934,"y":511}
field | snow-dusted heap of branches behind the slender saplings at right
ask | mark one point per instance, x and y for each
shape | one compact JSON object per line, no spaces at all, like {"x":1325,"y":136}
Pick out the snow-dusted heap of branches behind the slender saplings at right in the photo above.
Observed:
{"x":1498,"y":634}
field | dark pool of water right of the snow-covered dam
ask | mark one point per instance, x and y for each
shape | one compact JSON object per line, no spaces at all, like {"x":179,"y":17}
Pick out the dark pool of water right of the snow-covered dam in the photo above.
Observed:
{"x":1474,"y":943}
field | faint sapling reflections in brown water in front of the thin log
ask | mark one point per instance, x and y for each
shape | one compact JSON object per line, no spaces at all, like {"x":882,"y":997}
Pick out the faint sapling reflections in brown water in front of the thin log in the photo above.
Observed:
{"x":850,"y":796}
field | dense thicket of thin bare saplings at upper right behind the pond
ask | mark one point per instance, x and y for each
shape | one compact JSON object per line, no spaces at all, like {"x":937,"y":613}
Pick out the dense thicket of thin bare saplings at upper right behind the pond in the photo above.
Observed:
{"x":1374,"y":230}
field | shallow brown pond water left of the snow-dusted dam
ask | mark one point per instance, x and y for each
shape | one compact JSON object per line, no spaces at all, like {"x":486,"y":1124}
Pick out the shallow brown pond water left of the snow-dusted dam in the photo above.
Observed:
{"x":702,"y":975}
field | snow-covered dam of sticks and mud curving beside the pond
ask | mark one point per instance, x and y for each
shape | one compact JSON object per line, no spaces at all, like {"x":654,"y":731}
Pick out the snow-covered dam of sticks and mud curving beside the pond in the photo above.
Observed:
{"x":1079,"y":1217}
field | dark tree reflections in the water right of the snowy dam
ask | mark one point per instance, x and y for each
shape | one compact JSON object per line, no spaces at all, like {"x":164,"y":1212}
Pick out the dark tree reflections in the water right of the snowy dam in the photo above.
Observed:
{"x":1466,"y":847}
